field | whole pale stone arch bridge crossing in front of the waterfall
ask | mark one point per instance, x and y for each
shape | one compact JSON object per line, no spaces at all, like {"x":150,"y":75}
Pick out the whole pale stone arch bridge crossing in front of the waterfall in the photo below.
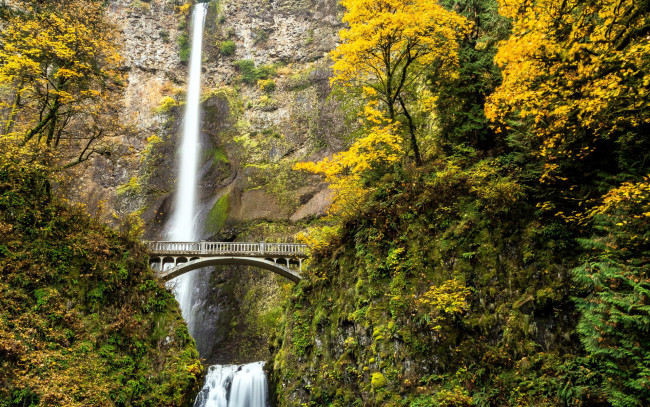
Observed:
{"x":172,"y":259}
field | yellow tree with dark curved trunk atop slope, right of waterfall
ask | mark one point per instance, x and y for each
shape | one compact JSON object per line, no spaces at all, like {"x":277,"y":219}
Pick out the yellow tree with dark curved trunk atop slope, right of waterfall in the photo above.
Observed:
{"x":388,"y":47}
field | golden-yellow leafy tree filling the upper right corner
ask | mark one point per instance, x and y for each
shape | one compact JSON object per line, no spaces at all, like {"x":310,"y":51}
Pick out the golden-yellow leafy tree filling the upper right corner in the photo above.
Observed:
{"x":577,"y":74}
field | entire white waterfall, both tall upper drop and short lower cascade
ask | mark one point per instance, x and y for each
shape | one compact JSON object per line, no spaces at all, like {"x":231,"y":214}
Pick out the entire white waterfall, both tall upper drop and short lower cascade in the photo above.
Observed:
{"x":226,"y":385}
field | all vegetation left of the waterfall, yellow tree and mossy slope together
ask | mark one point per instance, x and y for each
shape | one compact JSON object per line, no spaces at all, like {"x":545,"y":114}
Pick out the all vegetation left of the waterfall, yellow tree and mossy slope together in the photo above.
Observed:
{"x":83,"y":321}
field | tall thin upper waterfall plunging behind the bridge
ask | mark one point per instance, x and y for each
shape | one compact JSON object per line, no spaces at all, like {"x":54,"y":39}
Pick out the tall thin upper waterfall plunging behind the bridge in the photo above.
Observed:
{"x":183,"y":221}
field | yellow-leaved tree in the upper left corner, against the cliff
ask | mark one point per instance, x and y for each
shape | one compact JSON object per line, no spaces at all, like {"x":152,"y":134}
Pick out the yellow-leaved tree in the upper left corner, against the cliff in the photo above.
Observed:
{"x":58,"y":65}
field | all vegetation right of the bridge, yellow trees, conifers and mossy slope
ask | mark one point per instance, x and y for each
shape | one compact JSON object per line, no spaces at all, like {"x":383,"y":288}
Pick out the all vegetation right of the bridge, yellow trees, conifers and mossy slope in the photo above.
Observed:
{"x":509,"y":268}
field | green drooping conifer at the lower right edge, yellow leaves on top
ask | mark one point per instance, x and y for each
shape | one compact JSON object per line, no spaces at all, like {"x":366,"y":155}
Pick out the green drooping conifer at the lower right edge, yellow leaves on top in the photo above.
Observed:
{"x":615,"y":313}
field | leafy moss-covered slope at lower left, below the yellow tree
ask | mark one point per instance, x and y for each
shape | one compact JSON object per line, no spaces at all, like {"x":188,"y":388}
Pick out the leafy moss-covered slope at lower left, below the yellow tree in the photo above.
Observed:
{"x":83,"y":322}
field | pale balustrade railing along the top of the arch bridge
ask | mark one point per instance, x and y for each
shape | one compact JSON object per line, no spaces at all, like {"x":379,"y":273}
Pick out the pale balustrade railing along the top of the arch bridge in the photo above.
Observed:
{"x":227,"y":248}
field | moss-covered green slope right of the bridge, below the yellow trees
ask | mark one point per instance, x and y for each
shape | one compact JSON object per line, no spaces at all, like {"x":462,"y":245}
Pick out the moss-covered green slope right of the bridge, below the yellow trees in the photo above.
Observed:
{"x":447,"y":290}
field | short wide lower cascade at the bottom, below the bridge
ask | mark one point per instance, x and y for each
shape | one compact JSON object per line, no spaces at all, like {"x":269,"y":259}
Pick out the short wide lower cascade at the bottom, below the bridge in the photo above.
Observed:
{"x":234,"y":386}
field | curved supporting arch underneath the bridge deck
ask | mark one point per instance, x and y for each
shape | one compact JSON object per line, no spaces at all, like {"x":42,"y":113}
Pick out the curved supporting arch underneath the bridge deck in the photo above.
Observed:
{"x":186,"y":267}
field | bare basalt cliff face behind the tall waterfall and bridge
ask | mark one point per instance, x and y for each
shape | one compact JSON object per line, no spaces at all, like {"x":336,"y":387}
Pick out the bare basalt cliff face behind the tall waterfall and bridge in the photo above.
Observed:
{"x":265,"y":105}
